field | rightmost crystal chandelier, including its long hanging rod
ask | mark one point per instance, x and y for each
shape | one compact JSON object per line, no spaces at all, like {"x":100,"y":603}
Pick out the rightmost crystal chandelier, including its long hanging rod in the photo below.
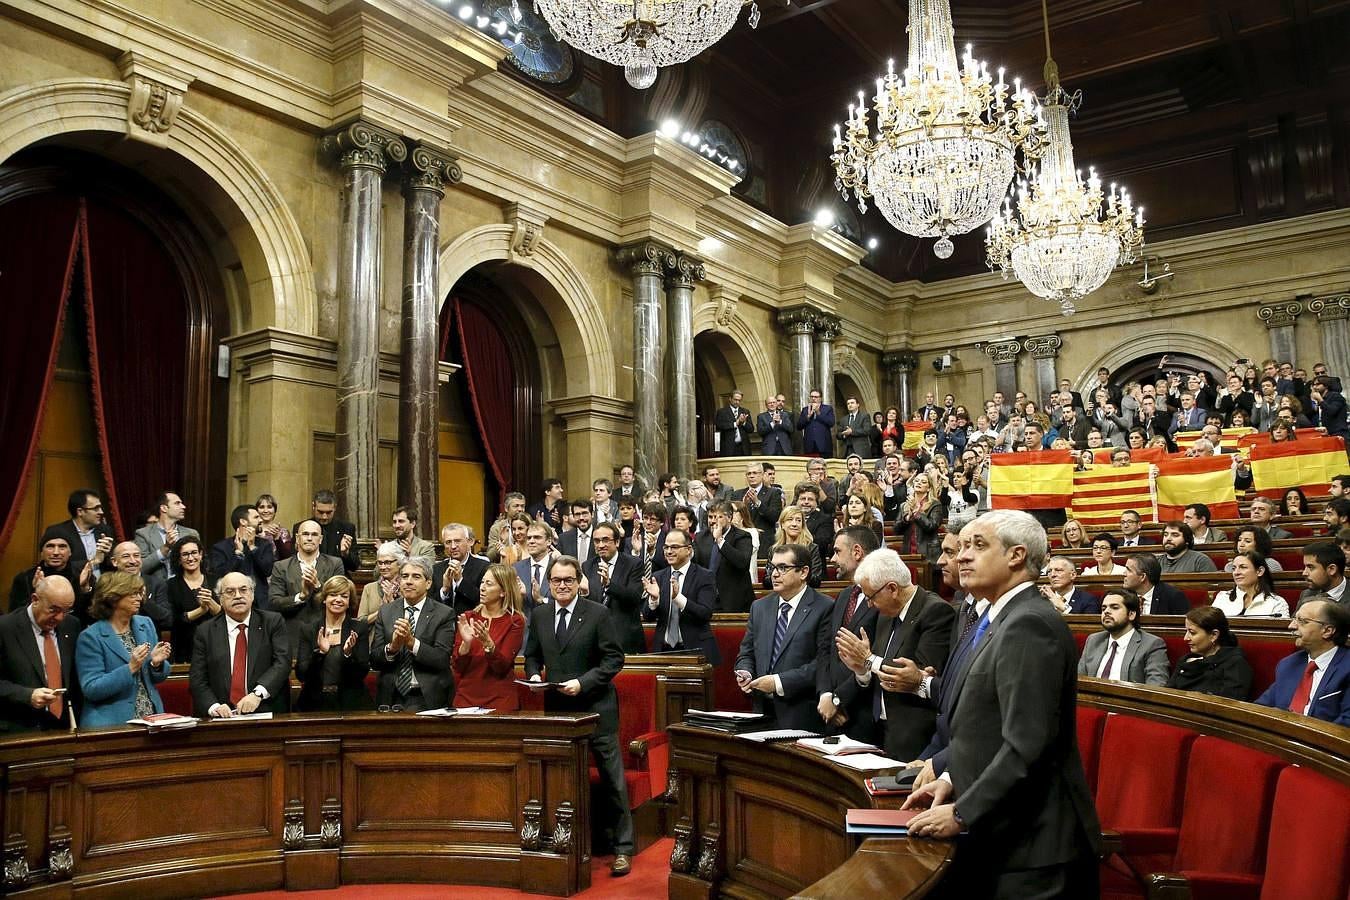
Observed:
{"x":1063,"y":241}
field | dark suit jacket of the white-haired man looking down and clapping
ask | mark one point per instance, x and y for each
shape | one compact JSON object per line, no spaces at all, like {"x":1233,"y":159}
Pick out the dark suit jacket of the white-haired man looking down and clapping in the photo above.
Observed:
{"x":925,"y":638}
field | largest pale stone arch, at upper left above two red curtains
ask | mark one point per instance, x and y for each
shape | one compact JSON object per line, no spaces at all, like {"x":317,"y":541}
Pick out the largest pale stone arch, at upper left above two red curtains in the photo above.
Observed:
{"x":248,"y":206}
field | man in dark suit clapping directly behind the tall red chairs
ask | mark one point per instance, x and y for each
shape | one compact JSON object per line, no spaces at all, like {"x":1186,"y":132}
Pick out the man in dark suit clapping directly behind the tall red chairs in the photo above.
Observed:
{"x":682,"y":600}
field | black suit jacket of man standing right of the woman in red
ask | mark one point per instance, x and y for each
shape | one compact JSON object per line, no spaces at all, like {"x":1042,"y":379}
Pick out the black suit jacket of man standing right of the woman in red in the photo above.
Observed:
{"x":589,"y":654}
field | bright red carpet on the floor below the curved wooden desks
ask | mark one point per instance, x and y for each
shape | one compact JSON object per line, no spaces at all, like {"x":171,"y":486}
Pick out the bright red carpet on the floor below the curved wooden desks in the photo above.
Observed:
{"x":647,"y":882}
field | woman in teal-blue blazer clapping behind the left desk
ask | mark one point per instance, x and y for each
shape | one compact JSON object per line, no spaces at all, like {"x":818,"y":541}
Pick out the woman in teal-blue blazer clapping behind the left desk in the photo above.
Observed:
{"x":121,"y":659}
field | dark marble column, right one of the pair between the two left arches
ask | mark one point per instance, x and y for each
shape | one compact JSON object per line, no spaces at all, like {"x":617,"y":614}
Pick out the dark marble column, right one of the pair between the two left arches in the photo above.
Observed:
{"x":419,"y":389}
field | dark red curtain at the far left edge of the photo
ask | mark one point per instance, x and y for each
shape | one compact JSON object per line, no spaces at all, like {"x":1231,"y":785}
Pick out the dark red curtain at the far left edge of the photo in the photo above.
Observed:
{"x":36,"y":277}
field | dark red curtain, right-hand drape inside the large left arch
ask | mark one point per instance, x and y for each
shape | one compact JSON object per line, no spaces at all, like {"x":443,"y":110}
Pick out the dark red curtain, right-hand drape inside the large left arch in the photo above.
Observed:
{"x":137,"y":314}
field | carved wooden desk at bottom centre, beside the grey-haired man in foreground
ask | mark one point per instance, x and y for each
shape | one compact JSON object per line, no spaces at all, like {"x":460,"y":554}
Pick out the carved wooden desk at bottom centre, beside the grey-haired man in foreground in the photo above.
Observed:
{"x":767,"y":821}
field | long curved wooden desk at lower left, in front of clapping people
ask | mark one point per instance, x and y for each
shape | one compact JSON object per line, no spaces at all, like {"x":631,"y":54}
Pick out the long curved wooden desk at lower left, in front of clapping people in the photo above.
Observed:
{"x":300,"y":802}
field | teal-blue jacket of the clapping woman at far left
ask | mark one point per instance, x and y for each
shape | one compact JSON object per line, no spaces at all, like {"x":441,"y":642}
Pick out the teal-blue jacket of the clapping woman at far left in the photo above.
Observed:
{"x":106,"y":679}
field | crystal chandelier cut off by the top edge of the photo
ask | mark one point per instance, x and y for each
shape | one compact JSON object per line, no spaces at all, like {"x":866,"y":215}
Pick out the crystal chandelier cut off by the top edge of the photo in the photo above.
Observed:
{"x":643,"y":34}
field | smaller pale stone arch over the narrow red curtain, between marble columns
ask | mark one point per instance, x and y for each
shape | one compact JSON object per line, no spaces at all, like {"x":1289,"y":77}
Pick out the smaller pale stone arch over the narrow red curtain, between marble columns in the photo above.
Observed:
{"x":569,"y":303}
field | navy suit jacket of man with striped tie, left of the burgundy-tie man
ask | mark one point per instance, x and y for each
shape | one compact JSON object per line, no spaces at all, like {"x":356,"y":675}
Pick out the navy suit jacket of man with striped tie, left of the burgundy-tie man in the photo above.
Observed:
{"x":796,"y":663}
